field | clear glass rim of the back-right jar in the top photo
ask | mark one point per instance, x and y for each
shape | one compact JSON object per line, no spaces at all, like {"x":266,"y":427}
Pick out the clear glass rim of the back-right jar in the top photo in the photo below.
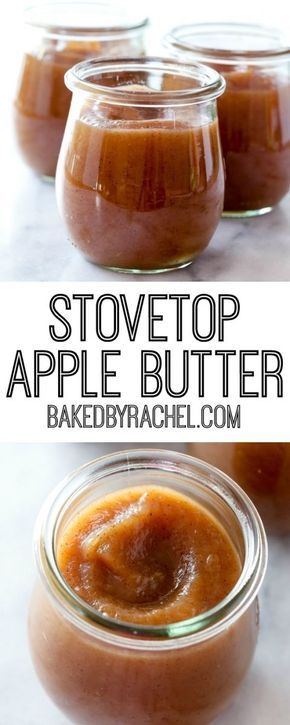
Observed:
{"x":185,"y":38}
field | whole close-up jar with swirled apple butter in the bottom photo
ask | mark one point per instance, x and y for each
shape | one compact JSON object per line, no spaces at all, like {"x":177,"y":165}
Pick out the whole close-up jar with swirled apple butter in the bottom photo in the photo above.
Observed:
{"x":102,"y":669}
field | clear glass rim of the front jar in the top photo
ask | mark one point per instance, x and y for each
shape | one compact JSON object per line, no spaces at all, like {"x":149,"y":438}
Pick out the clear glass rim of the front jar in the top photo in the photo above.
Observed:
{"x":210,"y":83}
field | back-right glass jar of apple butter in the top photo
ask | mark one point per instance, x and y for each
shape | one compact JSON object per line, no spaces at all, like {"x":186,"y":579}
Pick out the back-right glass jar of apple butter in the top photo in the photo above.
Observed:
{"x":254,"y":112}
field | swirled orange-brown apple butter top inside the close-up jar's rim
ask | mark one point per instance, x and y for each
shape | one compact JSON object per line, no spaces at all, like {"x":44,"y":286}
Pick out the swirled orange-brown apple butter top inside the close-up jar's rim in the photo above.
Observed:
{"x":148,"y":555}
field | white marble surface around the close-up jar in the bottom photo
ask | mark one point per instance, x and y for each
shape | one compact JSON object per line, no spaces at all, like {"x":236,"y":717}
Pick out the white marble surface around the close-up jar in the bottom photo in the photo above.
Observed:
{"x":27,"y":474}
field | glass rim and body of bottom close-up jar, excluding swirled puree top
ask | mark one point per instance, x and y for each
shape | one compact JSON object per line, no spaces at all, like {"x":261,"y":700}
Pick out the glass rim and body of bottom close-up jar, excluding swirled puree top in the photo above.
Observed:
{"x":102,"y":671}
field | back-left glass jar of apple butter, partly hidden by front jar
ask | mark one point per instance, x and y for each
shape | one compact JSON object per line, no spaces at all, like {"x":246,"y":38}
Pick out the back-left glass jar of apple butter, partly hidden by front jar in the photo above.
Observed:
{"x":58,"y":35}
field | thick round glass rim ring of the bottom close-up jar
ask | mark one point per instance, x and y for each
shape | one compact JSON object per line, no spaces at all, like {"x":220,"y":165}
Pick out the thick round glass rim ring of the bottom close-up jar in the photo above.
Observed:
{"x":196,"y":629}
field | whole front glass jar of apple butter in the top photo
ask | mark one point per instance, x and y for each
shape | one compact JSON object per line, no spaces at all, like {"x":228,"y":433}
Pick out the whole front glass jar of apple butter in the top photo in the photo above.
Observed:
{"x":140,"y":178}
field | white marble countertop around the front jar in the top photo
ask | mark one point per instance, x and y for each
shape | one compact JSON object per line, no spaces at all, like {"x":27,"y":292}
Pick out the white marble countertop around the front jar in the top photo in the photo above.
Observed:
{"x":34,"y":243}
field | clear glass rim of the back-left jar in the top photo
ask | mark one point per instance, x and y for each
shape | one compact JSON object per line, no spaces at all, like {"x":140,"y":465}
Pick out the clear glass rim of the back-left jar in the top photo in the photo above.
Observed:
{"x":57,"y":17}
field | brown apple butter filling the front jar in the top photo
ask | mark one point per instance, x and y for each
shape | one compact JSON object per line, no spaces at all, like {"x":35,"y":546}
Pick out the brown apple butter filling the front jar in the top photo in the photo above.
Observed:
{"x":141,"y":194}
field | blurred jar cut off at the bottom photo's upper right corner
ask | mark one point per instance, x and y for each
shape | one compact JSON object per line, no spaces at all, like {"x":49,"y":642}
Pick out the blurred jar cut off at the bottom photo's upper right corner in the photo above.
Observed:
{"x":263,"y":471}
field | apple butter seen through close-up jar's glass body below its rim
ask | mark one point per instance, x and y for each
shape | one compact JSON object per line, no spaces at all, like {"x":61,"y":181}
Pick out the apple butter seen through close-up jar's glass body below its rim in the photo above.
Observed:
{"x":98,"y":683}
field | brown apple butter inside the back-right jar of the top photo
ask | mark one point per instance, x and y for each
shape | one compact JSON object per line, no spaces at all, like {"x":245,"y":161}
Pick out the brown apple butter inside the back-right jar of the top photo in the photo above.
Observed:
{"x":254,"y":118}
